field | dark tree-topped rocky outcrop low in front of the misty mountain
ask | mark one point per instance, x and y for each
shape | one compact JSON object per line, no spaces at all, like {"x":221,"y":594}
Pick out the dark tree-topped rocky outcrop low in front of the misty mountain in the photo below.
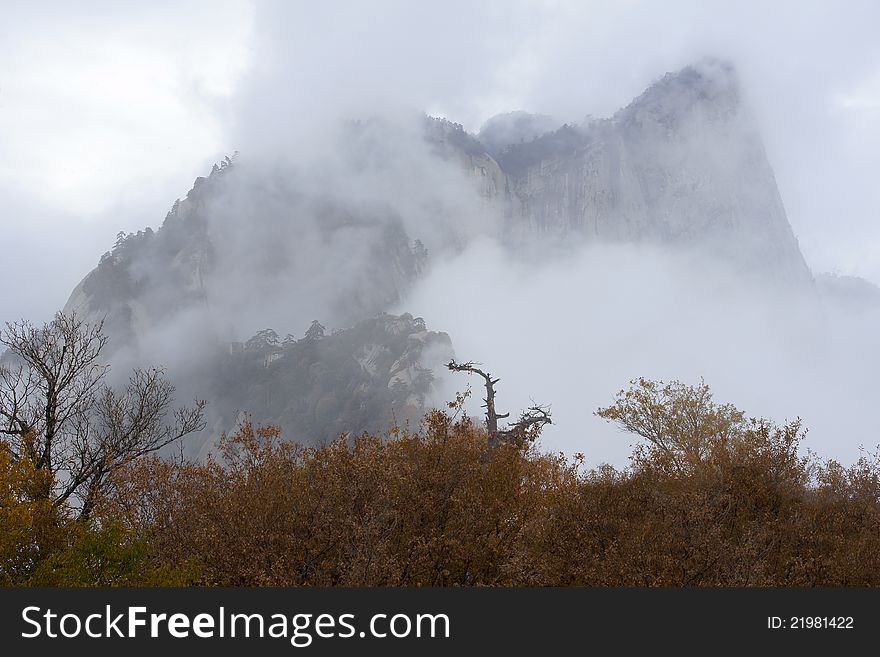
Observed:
{"x":363,"y":378}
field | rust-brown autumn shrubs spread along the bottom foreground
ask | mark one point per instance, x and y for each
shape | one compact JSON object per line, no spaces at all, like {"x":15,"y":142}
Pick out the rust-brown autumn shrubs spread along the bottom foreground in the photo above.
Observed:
{"x":710,"y":498}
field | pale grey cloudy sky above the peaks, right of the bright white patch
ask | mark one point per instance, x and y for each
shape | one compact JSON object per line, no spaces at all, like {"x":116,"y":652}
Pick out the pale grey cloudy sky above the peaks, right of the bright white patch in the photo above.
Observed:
{"x":810,"y":70}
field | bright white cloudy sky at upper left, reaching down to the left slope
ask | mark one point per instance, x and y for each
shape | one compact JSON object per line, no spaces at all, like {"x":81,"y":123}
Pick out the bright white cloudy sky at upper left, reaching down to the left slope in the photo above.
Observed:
{"x":107,"y":114}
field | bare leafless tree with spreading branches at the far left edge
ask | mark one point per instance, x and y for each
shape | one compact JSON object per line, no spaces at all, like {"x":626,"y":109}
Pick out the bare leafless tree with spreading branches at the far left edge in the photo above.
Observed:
{"x":57,"y":412}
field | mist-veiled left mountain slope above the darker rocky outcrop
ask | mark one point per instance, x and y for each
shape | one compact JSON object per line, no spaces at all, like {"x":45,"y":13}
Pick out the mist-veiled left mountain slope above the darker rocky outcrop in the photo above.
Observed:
{"x":328,"y":234}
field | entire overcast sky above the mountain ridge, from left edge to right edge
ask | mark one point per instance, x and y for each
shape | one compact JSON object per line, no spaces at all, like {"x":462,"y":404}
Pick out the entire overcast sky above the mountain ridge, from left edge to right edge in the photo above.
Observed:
{"x":109,"y":110}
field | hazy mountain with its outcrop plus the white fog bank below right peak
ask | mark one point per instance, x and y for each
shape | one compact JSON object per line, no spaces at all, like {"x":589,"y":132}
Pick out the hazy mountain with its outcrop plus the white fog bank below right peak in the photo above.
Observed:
{"x":520,"y":242}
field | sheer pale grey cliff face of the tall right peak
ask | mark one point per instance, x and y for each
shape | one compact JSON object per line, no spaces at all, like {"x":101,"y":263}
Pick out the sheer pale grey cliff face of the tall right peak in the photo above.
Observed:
{"x":683,"y":165}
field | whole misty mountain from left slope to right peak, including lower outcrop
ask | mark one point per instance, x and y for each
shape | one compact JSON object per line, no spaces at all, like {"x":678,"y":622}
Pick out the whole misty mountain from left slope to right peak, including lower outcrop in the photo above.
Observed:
{"x":343,"y":230}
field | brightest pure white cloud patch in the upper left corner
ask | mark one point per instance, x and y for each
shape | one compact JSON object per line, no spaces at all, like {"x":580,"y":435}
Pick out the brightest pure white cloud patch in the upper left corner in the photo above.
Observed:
{"x":95,"y":106}
